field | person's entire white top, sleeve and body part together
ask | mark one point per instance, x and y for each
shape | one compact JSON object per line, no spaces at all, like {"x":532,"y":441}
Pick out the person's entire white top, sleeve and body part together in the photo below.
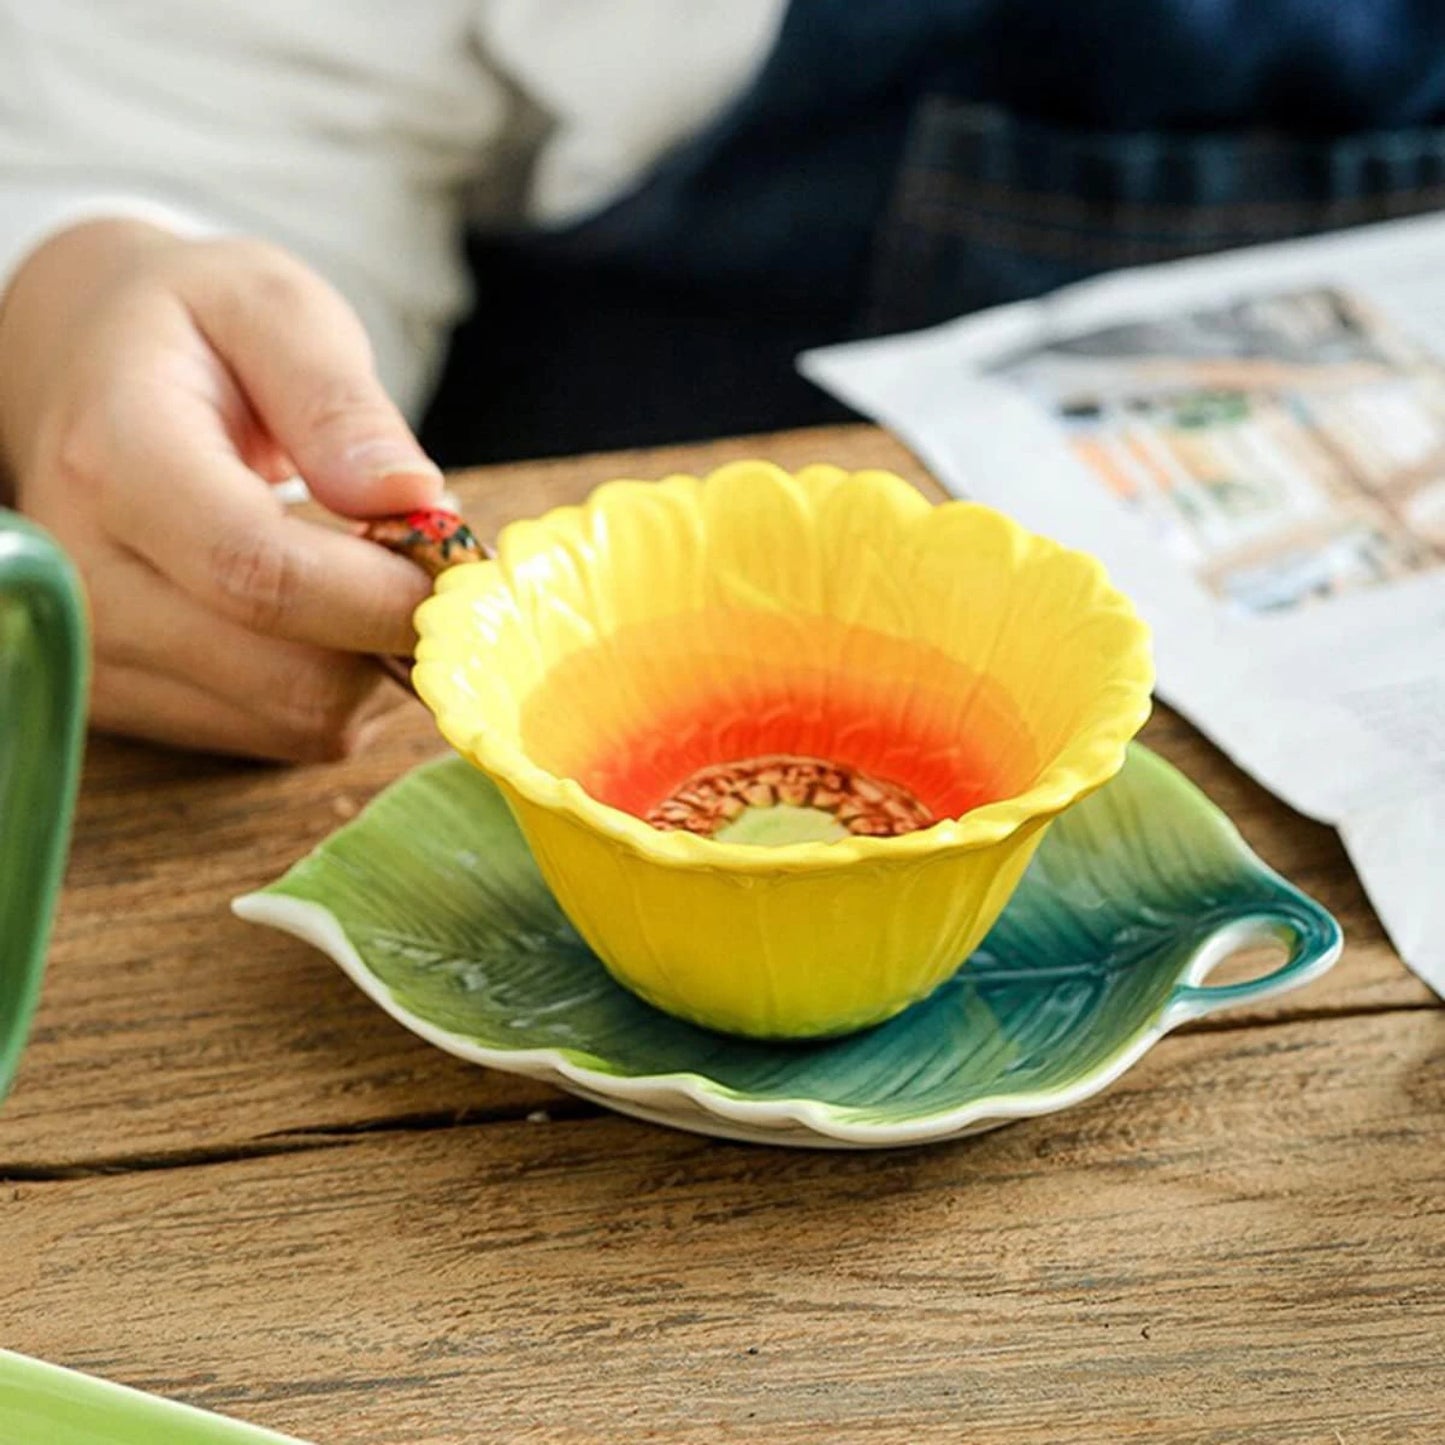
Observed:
{"x":356,"y":134}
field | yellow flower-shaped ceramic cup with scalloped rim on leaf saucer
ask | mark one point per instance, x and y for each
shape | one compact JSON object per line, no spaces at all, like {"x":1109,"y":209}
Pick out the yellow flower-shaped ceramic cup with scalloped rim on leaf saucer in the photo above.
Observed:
{"x":782,"y":746}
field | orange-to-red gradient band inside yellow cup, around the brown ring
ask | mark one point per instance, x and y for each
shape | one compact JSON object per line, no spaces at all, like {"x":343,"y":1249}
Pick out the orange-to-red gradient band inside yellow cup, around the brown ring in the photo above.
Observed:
{"x":888,"y":707}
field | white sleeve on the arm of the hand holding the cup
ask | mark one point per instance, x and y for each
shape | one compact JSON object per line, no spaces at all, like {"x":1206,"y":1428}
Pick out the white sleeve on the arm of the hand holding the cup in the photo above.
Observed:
{"x":346,"y":131}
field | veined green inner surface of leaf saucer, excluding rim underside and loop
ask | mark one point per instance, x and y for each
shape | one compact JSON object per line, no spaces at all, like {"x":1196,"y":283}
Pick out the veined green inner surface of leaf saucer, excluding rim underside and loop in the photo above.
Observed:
{"x":437,"y":892}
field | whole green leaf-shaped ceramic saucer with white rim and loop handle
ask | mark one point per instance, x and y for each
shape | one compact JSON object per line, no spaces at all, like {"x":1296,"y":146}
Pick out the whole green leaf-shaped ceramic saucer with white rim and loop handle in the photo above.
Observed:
{"x":433,"y":904}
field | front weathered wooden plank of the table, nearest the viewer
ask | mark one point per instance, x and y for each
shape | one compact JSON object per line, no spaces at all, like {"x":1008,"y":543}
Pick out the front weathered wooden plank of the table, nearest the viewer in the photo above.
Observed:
{"x":1243,"y":1242}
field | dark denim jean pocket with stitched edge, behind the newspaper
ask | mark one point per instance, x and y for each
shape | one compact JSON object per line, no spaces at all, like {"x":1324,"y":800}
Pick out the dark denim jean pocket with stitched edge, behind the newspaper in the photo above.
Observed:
{"x":991,"y":209}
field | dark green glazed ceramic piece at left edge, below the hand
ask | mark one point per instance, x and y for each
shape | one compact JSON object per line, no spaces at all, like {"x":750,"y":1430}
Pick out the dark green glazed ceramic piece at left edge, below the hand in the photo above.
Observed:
{"x":43,"y":720}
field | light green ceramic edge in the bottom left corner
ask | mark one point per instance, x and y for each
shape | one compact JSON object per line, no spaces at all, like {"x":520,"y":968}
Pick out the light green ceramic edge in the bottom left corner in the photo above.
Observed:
{"x":46,"y":1405}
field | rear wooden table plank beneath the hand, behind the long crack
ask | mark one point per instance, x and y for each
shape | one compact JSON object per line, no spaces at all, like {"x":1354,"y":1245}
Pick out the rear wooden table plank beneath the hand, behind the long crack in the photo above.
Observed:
{"x":170,"y":1030}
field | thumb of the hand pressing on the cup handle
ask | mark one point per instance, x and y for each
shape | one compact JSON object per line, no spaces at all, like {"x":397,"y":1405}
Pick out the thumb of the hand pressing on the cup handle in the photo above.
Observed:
{"x":304,"y":362}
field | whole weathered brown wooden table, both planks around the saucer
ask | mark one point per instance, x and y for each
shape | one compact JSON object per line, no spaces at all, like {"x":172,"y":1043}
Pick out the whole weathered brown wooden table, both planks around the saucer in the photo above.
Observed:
{"x":229,"y":1178}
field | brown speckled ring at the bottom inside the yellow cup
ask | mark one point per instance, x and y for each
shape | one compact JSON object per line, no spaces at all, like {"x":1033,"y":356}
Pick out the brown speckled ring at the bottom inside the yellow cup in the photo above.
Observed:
{"x":717,"y":795}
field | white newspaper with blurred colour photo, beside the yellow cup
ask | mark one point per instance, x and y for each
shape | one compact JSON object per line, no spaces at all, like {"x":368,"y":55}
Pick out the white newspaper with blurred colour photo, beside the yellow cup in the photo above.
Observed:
{"x":1255,"y":446}
